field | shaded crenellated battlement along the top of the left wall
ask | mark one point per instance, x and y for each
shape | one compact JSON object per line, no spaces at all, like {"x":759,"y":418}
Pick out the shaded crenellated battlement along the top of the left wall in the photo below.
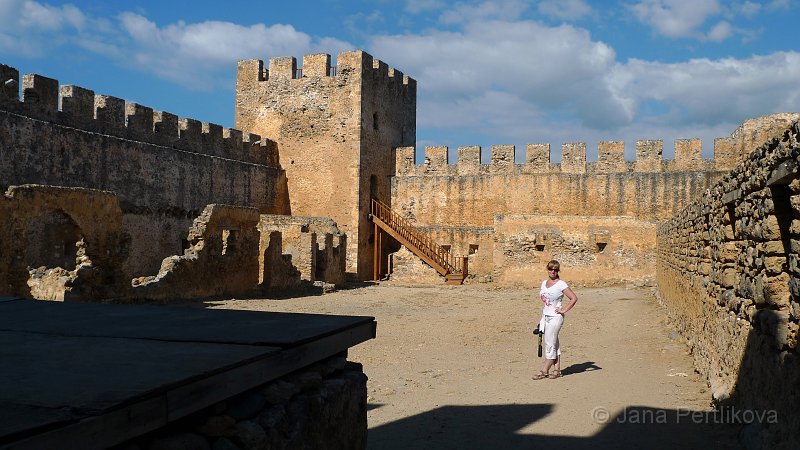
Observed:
{"x":80,"y":108}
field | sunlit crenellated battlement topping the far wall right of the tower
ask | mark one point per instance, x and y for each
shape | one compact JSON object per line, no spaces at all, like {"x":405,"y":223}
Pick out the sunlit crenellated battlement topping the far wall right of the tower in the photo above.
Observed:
{"x":539,"y":159}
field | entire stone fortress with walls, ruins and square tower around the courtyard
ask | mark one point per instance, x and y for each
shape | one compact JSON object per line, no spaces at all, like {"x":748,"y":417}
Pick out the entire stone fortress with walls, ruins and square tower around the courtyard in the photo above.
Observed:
{"x":100,"y":195}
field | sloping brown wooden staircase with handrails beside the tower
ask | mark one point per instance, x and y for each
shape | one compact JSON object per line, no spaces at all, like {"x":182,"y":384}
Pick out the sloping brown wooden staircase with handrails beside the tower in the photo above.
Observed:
{"x":433,"y":251}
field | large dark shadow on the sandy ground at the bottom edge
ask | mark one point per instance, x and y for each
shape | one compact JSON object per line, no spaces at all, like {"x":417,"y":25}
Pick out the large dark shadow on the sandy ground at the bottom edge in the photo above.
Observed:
{"x":498,"y":427}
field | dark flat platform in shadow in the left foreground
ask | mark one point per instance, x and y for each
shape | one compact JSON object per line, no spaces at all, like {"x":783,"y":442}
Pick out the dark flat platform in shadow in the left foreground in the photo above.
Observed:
{"x":96,"y":375}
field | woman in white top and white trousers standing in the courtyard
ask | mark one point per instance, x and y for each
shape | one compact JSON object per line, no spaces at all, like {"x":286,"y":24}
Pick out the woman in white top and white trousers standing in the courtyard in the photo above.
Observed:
{"x":552,"y":292}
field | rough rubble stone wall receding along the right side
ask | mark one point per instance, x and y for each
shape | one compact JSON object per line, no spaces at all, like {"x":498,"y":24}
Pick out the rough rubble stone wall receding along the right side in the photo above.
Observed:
{"x":729,"y":275}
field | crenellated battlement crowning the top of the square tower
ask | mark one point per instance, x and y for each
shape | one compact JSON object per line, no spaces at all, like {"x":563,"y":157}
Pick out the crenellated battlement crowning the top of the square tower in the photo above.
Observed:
{"x":318,"y":66}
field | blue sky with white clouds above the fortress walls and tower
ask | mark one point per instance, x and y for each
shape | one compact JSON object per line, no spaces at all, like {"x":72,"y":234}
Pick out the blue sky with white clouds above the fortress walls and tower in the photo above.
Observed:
{"x":488,"y":72}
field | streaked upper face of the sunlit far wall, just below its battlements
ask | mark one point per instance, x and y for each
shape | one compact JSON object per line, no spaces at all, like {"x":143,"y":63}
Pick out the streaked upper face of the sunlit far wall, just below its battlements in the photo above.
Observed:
{"x":435,"y":193}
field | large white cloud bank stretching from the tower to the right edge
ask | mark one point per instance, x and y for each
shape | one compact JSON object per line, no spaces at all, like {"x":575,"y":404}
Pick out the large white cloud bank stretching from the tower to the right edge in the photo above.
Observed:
{"x":523,"y":81}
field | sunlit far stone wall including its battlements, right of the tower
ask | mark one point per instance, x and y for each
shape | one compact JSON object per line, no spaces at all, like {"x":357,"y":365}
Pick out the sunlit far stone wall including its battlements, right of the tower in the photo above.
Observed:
{"x":470,"y":195}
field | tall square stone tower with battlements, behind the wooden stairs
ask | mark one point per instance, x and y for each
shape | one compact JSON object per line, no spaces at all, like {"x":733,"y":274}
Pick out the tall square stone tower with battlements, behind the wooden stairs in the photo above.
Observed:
{"x":336,"y":130}
